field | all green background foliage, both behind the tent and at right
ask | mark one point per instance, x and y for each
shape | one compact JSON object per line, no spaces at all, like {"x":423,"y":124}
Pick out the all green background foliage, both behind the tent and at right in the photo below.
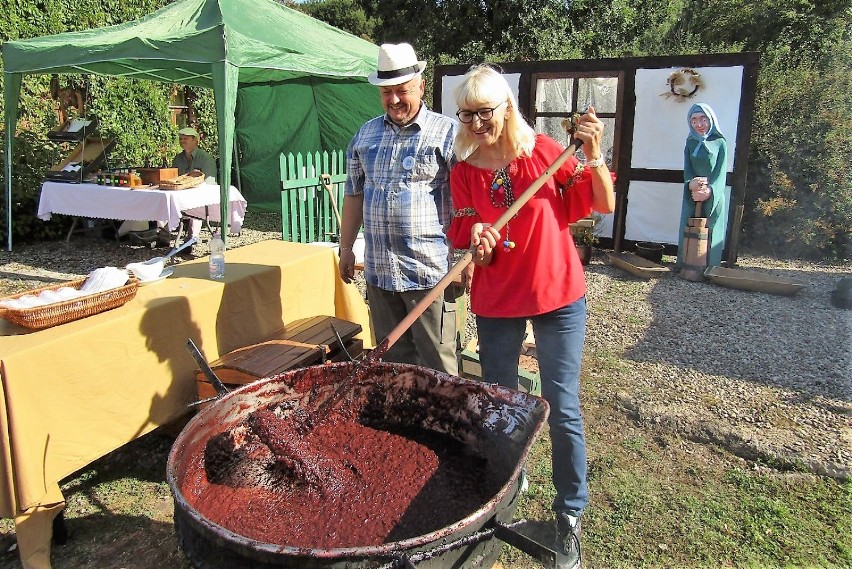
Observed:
{"x":799,"y":188}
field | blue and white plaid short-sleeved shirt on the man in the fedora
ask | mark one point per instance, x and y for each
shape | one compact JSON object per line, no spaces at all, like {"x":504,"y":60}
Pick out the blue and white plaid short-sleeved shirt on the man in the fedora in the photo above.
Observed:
{"x":403,"y":173}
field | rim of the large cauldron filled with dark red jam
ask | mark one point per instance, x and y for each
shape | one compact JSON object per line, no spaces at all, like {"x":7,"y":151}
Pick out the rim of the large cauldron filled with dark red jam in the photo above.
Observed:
{"x":237,"y":541}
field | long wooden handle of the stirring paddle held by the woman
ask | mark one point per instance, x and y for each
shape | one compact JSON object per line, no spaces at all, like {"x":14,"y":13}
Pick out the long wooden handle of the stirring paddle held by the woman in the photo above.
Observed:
{"x":459,"y":266}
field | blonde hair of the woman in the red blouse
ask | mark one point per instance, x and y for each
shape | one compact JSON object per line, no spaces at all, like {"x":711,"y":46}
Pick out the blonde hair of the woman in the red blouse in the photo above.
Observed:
{"x":483,"y":86}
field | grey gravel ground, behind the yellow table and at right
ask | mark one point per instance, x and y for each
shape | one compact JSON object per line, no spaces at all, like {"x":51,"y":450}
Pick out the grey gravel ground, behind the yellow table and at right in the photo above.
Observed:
{"x":767,"y":377}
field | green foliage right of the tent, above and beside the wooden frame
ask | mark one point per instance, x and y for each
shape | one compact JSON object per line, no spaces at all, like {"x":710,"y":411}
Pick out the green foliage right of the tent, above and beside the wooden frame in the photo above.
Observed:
{"x":798,"y":190}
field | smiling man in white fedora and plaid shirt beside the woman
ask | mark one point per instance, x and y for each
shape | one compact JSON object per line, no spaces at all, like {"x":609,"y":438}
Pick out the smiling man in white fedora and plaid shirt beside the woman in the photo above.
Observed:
{"x":398,"y":187}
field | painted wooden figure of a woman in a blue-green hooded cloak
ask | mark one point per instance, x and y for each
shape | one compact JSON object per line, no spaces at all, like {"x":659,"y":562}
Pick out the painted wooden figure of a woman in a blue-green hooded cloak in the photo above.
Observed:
{"x":705,"y":164}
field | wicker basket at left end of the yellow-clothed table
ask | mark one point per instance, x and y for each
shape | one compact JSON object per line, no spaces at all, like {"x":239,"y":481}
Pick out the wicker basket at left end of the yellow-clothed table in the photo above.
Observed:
{"x":40,"y":317}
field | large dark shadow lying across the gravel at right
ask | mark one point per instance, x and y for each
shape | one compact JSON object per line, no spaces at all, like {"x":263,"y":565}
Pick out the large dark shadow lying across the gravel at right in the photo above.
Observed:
{"x":812,"y":358}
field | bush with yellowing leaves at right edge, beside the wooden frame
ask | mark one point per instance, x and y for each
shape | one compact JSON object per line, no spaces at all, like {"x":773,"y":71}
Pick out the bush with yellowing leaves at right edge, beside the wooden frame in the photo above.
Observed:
{"x":800,"y":189}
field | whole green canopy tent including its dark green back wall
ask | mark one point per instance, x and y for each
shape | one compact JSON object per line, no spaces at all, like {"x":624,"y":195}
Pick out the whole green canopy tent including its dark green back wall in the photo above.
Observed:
{"x":300,"y":83}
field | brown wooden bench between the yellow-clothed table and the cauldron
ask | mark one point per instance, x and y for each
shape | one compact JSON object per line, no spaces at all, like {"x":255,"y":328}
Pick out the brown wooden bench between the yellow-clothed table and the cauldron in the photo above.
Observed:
{"x":302,"y":343}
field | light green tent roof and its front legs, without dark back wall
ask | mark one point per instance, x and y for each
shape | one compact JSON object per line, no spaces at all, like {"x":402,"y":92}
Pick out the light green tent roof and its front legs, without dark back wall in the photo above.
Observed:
{"x":223,"y":44}
